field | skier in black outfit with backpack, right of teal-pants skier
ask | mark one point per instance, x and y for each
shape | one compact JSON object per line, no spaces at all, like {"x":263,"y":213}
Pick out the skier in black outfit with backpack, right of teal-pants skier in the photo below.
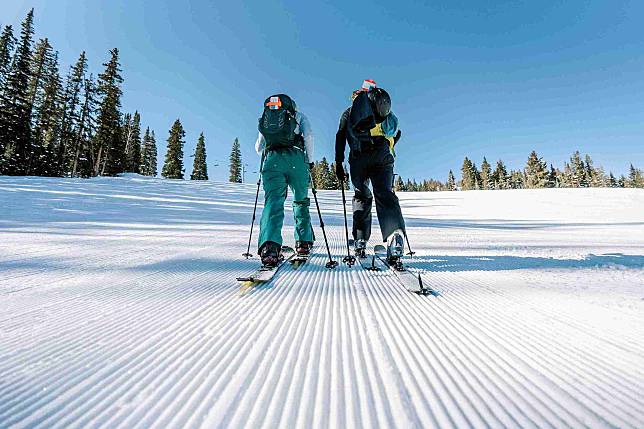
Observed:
{"x":371,"y":130}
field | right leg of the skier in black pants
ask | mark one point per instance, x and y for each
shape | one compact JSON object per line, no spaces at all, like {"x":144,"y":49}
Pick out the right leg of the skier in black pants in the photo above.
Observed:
{"x":387,"y":205}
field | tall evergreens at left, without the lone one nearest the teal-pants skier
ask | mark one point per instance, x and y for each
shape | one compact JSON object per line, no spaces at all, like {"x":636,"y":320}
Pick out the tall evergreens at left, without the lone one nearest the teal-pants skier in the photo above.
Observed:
{"x":73,"y":126}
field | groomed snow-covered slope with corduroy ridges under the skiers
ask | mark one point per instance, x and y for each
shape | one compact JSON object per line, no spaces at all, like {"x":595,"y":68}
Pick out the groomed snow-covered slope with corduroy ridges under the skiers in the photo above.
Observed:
{"x":119,"y":308}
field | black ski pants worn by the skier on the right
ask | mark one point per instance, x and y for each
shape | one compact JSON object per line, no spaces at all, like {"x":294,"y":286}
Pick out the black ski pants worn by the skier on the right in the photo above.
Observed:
{"x":375,"y":165}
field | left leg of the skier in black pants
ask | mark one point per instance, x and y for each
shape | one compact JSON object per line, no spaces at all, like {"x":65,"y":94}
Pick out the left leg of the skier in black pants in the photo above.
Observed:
{"x":362,"y":197}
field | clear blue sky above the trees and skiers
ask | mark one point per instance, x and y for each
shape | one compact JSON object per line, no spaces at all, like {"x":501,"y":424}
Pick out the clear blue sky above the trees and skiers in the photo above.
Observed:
{"x":467,"y":78}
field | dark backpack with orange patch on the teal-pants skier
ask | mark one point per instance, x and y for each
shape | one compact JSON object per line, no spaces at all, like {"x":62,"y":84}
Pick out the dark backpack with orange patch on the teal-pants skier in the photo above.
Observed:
{"x":278,"y":123}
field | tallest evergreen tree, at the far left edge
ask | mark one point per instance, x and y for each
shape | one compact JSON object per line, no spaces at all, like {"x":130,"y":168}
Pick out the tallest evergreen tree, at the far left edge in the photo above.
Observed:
{"x":15,"y":107}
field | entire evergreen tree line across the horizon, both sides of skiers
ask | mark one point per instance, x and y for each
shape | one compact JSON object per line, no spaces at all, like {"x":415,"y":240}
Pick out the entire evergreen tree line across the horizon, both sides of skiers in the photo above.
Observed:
{"x":74,"y":127}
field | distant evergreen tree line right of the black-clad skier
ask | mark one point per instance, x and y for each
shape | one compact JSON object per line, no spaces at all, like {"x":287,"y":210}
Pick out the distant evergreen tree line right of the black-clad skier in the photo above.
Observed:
{"x":578,"y":172}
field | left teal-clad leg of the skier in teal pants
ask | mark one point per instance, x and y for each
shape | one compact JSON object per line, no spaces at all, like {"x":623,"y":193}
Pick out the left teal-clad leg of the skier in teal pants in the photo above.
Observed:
{"x":274,"y":181}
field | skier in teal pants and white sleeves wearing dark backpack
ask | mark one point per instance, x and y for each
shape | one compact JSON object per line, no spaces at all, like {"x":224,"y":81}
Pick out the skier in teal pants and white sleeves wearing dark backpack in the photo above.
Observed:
{"x":285,"y":142}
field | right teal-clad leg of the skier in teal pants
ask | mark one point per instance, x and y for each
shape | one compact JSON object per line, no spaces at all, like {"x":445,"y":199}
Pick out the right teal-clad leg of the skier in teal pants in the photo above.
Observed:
{"x":298,"y":180}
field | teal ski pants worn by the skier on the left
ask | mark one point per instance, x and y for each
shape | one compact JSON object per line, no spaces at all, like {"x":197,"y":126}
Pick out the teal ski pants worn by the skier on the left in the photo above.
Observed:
{"x":282,"y":169}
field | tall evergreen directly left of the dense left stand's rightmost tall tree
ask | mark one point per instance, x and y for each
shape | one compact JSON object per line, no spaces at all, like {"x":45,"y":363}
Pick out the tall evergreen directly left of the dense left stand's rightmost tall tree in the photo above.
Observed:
{"x":71,"y":122}
